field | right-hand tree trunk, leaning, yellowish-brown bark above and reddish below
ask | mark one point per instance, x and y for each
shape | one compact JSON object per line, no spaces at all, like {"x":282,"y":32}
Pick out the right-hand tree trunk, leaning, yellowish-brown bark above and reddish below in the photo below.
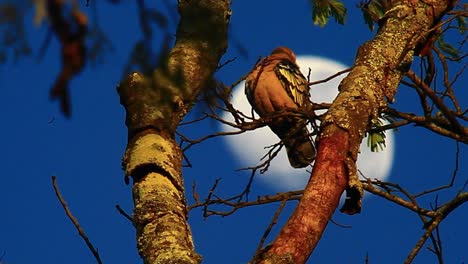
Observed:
{"x":379,"y":66}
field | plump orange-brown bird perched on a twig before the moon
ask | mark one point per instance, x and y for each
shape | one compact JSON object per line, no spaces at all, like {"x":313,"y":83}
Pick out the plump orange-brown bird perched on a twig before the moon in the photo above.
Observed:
{"x":276,"y":84}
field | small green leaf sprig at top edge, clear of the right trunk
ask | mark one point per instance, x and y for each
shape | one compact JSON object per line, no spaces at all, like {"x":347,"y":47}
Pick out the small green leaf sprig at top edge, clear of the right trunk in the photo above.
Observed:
{"x":323,"y":9}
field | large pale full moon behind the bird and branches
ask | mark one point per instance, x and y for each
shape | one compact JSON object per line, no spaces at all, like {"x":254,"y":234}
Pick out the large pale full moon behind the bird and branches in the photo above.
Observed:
{"x":249,"y":147}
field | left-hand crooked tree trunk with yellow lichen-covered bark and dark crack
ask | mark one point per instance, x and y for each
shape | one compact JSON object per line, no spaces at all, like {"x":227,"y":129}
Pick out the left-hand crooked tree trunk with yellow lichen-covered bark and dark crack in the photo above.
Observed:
{"x":155,"y":106}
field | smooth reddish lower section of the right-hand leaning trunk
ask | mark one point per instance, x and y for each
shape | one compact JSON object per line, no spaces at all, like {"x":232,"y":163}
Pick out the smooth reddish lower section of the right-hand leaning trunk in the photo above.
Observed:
{"x":320,"y":199}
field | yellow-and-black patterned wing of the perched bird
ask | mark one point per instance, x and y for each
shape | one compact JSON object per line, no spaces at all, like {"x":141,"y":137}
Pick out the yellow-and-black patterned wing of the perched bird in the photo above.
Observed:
{"x":295,"y":84}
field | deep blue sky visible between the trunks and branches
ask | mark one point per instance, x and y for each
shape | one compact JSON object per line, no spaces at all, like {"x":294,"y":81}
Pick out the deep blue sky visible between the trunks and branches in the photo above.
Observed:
{"x":85,"y":154}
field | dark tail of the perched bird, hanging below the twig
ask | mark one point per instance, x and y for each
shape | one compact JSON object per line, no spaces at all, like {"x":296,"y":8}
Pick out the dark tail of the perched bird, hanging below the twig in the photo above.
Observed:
{"x":301,"y":151}
